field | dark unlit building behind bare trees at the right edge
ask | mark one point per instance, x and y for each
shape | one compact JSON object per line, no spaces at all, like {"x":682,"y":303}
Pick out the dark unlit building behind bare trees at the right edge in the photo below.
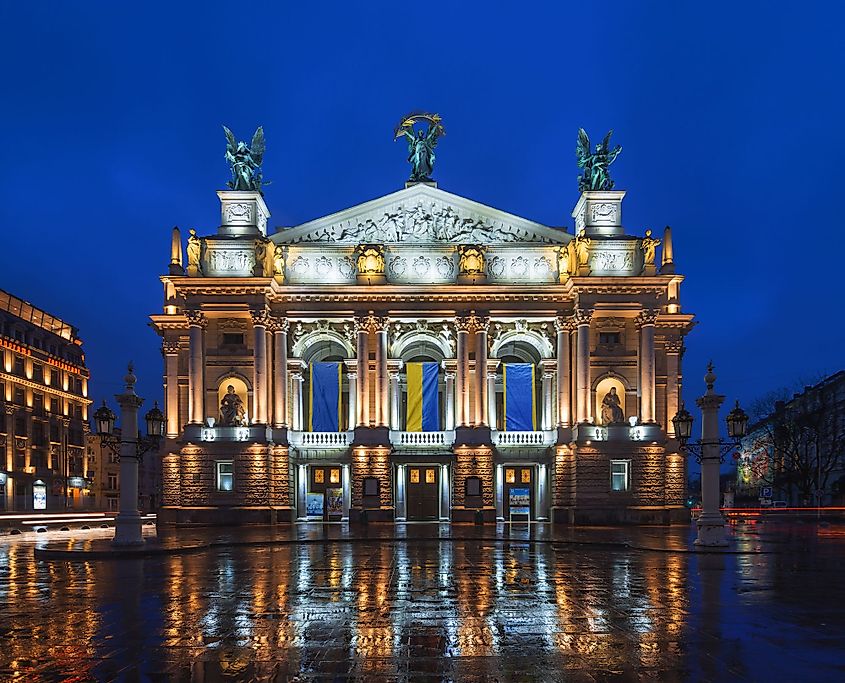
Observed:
{"x":798,"y":450}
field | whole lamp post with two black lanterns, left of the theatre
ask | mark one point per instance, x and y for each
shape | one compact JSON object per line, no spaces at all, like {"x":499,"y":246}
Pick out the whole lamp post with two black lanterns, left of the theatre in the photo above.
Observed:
{"x":130,"y":448}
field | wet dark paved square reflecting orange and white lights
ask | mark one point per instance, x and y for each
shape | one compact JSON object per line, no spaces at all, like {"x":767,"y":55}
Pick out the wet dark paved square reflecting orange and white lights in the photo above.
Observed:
{"x":432,"y":603}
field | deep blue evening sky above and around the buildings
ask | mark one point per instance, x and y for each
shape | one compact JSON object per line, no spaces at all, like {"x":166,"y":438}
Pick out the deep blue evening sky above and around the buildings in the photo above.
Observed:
{"x":730,"y":115}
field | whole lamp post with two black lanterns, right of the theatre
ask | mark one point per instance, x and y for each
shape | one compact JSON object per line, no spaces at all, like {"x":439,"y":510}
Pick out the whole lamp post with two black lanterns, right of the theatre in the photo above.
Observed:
{"x":710,"y":452}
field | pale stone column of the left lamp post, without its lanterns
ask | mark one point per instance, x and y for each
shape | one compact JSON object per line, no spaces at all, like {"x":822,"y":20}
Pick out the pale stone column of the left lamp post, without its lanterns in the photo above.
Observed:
{"x":127,"y":525}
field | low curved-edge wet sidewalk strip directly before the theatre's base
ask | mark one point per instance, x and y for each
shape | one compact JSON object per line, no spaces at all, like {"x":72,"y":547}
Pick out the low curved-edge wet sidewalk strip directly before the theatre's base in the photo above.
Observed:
{"x":677,"y":539}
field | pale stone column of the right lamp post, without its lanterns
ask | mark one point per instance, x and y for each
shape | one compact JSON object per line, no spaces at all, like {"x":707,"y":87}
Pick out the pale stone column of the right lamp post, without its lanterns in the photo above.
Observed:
{"x":711,"y":524}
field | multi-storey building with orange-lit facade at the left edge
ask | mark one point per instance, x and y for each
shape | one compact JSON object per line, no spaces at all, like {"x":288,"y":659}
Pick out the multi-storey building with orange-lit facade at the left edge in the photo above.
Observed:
{"x":44,"y":395}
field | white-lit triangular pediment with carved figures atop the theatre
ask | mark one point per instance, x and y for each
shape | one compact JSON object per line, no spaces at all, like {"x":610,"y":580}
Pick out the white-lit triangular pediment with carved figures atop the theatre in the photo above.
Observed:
{"x":421,"y":214}
